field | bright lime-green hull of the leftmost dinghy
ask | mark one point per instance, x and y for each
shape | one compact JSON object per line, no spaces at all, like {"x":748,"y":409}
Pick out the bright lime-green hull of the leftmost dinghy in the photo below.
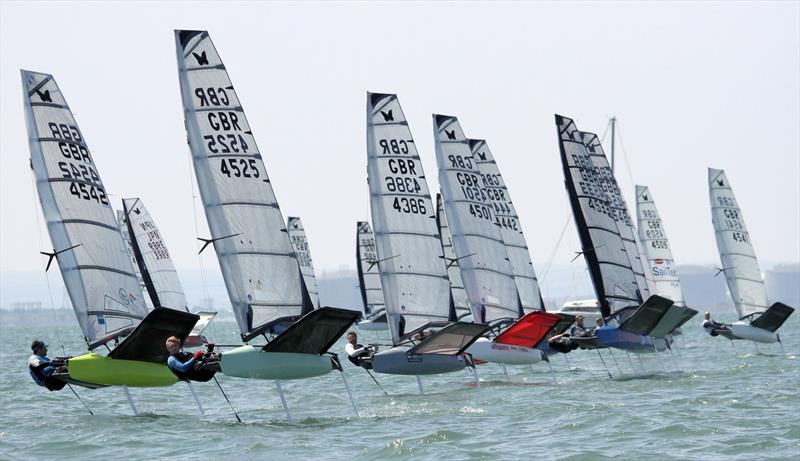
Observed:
{"x":94,"y":368}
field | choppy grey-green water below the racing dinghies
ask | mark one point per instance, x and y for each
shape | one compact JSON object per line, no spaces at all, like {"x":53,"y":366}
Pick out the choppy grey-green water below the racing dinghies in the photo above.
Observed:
{"x":725,"y":402}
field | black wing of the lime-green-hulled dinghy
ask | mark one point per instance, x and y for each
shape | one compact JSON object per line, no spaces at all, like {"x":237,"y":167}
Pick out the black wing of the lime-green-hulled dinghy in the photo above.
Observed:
{"x":146,"y":342}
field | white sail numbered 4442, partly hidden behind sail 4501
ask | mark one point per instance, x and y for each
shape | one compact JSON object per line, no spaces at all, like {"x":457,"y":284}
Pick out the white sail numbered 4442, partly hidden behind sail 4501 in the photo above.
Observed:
{"x":507,"y":221}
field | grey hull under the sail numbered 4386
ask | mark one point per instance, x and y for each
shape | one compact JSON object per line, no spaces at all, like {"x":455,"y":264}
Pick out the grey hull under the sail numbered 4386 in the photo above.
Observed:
{"x":400,"y":362}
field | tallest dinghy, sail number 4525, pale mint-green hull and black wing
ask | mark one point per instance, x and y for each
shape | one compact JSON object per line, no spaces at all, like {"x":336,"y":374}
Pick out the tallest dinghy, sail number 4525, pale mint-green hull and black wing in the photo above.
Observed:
{"x":260,"y":268}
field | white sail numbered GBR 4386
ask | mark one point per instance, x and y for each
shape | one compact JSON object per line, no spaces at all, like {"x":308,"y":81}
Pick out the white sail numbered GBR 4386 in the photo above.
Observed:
{"x":413,"y":273}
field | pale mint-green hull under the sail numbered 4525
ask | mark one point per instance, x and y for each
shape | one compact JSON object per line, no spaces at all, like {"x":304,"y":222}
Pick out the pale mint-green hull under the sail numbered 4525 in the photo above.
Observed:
{"x":249,"y":362}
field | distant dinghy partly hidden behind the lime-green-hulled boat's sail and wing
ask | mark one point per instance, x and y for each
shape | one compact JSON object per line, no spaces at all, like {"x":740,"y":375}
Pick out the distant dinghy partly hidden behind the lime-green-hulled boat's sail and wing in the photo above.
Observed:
{"x":155,"y":268}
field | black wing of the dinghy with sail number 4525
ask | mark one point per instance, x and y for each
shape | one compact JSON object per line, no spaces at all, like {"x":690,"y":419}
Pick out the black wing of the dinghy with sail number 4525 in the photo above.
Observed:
{"x":315,"y":332}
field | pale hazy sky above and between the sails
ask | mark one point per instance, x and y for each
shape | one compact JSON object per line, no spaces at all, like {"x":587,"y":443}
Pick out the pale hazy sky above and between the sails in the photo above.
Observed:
{"x":693,"y":85}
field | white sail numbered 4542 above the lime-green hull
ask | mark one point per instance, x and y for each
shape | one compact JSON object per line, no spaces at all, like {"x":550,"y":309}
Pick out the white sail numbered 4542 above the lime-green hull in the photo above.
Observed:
{"x":90,"y":250}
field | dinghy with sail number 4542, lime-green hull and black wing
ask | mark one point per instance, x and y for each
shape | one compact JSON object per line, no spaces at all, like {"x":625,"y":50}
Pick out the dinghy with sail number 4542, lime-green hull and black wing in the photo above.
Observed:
{"x":91,"y":253}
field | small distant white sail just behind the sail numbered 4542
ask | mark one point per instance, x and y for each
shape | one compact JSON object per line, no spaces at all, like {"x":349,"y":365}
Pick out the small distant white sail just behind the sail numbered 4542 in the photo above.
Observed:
{"x":153,"y":258}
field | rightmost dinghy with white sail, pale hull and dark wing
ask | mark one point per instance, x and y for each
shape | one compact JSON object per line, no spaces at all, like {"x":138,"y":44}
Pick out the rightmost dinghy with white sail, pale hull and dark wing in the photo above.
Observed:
{"x":757,"y":322}
